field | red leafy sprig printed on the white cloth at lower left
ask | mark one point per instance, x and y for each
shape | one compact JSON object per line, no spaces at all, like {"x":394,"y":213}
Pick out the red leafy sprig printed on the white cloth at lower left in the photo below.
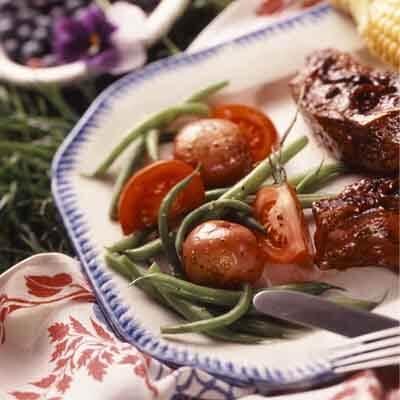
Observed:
{"x":90,"y":348}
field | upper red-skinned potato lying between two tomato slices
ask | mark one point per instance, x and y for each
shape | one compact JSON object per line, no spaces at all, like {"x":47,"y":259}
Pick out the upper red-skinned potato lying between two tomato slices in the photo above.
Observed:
{"x":219,"y":147}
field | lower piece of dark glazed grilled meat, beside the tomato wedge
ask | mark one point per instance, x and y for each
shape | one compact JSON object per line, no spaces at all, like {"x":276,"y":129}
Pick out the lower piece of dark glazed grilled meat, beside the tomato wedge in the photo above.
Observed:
{"x":360,"y":227}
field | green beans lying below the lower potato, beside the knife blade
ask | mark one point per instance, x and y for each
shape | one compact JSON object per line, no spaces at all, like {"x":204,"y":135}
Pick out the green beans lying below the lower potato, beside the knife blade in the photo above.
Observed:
{"x":219,"y":313}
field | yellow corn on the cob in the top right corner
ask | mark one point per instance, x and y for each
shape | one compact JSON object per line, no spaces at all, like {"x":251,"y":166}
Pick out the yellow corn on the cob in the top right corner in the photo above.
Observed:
{"x":378,"y":22}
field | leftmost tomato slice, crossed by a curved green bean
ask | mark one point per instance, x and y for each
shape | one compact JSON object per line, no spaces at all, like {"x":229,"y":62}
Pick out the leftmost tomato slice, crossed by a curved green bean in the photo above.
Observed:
{"x":142,"y":195}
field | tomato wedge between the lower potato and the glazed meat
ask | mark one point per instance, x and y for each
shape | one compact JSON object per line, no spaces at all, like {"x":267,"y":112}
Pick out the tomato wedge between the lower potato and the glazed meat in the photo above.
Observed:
{"x":287,"y":240}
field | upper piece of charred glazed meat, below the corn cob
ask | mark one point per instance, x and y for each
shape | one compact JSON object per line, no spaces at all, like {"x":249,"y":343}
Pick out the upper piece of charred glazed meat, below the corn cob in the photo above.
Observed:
{"x":353,"y":109}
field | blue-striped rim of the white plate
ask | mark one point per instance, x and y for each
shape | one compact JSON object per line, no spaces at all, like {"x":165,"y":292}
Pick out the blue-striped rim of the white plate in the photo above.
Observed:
{"x":313,"y":373}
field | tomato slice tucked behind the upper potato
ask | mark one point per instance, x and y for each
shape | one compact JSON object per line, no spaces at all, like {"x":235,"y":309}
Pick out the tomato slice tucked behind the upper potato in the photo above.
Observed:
{"x":259,"y":130}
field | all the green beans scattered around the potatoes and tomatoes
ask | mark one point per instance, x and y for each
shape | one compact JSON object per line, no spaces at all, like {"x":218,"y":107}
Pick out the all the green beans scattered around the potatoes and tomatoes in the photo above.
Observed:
{"x":221,"y":314}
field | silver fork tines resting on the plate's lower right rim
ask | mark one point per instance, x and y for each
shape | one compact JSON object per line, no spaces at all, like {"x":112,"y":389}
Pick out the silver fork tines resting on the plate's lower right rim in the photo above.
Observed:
{"x":372,"y":350}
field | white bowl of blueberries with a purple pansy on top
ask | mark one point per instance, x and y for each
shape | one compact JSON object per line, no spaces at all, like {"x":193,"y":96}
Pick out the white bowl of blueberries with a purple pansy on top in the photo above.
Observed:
{"x":61,"y":41}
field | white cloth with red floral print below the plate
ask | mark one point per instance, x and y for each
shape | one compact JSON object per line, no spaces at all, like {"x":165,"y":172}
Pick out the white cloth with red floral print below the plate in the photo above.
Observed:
{"x":79,"y":352}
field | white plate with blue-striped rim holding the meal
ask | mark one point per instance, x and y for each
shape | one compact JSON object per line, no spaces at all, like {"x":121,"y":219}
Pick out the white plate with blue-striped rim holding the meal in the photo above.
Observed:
{"x":258,"y":66}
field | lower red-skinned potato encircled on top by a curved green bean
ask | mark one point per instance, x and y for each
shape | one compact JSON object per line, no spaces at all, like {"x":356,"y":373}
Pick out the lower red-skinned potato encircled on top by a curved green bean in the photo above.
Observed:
{"x":222,"y":254}
